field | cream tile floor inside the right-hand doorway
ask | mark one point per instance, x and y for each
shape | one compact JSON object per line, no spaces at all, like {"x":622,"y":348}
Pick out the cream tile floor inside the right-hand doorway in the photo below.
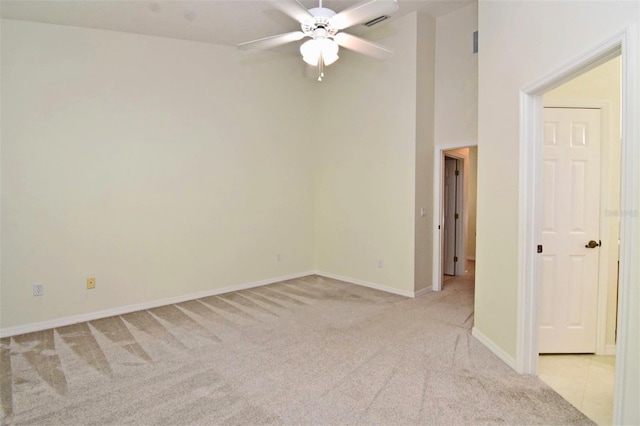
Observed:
{"x":586,"y":381}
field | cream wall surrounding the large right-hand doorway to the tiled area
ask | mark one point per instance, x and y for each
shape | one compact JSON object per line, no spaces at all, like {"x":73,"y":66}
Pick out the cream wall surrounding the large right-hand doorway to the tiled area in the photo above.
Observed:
{"x":521,"y":42}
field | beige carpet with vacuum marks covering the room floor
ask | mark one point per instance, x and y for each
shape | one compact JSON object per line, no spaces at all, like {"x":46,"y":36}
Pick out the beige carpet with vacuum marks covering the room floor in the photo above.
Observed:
{"x":308,"y":351}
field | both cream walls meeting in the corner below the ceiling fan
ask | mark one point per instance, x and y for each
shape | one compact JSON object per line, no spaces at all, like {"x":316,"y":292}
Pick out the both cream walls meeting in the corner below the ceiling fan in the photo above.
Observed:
{"x":139,"y":161}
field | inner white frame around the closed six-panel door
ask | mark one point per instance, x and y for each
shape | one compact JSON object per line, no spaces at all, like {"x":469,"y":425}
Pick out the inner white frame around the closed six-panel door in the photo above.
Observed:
{"x":603,"y":232}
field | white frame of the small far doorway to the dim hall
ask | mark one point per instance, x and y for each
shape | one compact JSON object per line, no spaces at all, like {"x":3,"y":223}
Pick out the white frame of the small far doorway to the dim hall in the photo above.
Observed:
{"x":438,"y":205}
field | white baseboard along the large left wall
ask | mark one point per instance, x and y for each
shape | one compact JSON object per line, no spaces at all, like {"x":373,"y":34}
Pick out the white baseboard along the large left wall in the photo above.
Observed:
{"x":60,"y":322}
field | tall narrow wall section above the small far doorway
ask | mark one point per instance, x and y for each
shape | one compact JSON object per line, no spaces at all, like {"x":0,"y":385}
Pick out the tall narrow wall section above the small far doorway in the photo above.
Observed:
{"x":456,"y":93}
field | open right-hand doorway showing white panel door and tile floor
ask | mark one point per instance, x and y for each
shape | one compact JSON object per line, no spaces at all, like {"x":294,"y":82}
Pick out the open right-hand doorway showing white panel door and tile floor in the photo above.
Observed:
{"x":579,"y":300}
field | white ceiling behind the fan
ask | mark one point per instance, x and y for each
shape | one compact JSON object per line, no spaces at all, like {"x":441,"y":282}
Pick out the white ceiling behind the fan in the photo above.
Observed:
{"x":226,"y":22}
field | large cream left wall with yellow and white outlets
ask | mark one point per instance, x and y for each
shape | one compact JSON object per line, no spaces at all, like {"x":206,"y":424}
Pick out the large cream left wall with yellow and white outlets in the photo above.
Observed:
{"x":161,"y":167}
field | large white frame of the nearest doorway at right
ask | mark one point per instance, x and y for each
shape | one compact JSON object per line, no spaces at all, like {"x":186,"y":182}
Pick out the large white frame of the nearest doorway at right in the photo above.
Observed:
{"x":624,"y":43}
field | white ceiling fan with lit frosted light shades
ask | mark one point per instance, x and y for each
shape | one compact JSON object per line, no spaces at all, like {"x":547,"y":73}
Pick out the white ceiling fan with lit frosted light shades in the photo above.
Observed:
{"x":324,"y":27}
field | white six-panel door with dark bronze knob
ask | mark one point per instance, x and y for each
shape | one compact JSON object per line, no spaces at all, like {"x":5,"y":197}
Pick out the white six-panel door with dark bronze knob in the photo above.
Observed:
{"x":570,"y":228}
